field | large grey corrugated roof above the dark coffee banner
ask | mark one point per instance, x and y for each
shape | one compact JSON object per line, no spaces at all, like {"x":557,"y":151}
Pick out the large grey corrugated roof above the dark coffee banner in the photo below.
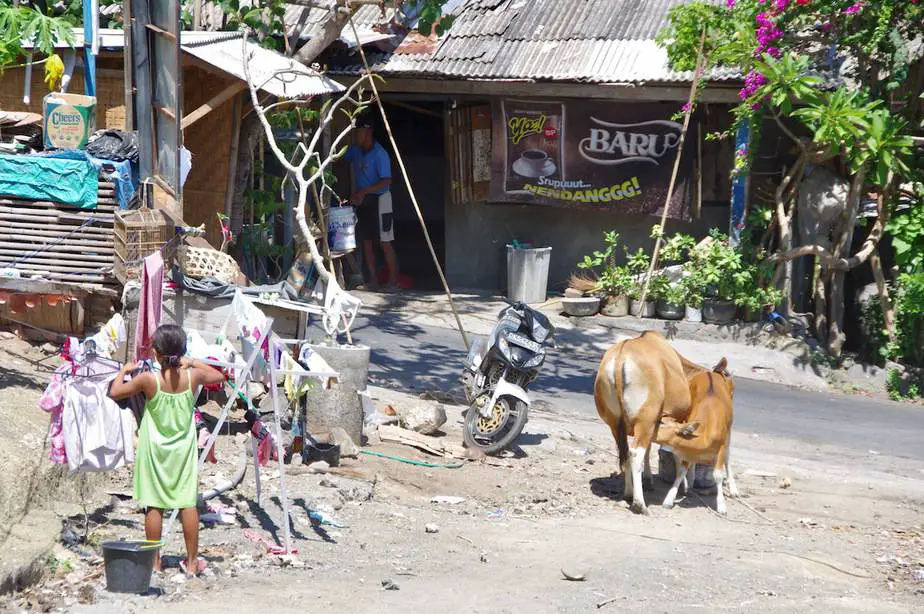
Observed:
{"x":588,"y":41}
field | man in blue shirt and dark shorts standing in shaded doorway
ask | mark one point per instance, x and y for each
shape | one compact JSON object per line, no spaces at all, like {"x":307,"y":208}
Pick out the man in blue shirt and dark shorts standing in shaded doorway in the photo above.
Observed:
{"x":371,"y":167}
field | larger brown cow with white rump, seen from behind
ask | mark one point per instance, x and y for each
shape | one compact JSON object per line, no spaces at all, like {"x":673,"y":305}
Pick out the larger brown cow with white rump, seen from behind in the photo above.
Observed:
{"x":639,"y":381}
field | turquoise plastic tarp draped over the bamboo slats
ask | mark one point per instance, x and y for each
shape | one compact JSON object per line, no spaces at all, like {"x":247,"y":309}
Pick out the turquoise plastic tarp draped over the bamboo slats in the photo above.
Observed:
{"x":71,"y":179}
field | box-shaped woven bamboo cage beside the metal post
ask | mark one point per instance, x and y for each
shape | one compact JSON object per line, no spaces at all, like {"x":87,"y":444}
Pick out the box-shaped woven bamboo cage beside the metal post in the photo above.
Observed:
{"x":136,"y":235}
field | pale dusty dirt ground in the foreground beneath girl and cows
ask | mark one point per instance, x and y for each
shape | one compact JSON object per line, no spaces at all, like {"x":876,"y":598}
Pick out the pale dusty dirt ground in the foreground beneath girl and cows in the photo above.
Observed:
{"x":818,"y":529}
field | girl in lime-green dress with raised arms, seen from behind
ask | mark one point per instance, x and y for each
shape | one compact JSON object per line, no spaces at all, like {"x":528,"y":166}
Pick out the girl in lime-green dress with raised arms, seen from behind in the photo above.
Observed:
{"x":166,"y":462}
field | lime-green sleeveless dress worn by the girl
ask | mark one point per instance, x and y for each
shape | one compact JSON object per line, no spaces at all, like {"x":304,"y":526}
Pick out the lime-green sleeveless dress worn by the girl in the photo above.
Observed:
{"x":166,"y":462}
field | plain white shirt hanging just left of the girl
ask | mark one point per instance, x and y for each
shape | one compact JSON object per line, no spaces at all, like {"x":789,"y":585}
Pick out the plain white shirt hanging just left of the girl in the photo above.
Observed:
{"x":97,"y":433}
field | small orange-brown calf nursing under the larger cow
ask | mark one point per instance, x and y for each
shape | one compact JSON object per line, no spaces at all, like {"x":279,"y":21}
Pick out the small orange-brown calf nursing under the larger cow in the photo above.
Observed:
{"x":706,"y":437}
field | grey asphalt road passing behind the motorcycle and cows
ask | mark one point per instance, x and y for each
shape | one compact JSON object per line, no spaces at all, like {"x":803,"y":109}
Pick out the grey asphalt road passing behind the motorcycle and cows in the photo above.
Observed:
{"x":411,"y":356}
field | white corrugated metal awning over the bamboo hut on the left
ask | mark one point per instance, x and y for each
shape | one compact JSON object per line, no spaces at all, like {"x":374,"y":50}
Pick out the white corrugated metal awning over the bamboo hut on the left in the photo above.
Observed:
{"x":224,"y":51}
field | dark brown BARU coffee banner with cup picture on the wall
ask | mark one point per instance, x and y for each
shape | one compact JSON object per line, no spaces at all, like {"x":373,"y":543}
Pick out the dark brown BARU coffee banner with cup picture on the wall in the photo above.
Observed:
{"x":599,"y":154}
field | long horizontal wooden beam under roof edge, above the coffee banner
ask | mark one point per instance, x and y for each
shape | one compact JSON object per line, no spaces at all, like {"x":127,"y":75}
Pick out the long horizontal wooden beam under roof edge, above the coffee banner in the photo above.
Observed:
{"x":630,"y":93}
